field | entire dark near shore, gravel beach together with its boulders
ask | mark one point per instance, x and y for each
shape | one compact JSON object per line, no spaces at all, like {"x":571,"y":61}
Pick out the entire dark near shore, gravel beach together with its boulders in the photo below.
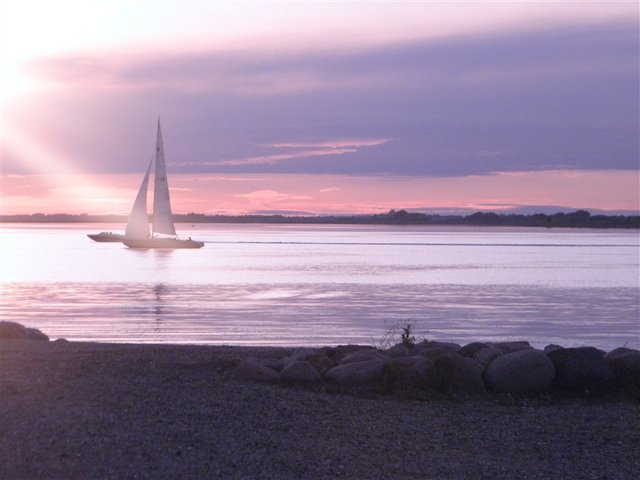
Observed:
{"x":431,"y":410}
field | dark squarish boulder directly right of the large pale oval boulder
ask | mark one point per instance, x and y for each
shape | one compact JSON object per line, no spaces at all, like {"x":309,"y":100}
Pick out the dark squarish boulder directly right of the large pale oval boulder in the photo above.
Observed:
{"x":582,"y":368}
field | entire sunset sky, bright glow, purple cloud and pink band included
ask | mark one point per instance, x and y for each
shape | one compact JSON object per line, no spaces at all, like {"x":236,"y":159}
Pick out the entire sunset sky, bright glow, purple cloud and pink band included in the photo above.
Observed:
{"x":321,"y":107}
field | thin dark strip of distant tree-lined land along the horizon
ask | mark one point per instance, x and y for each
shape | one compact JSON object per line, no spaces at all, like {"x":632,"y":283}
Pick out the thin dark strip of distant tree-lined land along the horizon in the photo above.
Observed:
{"x":577,"y":219}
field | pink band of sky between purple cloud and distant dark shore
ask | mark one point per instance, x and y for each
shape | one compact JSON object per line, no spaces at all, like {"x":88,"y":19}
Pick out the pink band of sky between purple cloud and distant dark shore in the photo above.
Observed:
{"x":324,"y":194}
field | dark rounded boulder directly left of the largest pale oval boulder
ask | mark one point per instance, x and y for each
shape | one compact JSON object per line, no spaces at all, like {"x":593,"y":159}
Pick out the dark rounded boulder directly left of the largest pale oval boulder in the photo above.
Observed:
{"x":455,"y":372}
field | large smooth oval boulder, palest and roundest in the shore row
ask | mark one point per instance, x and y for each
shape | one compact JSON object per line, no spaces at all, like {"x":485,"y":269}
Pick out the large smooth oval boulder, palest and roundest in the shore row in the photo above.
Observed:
{"x":524,"y":372}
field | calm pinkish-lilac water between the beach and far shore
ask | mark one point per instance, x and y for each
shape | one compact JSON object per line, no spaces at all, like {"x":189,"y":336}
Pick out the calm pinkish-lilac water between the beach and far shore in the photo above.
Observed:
{"x":326,"y":285}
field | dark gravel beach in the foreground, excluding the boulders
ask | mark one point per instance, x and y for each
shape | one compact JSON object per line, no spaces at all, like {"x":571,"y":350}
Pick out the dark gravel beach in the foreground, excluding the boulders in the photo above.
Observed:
{"x":75,"y":410}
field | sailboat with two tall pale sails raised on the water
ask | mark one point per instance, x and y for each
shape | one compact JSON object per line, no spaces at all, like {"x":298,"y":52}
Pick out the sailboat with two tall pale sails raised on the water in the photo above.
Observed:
{"x":163,"y":232}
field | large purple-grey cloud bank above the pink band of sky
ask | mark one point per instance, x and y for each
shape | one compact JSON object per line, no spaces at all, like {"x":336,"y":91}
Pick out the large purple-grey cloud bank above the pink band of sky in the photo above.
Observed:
{"x":518,"y":100}
